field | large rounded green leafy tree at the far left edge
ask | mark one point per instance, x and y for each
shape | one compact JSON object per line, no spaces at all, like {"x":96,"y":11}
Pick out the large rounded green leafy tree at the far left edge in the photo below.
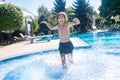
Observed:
{"x":11,"y":17}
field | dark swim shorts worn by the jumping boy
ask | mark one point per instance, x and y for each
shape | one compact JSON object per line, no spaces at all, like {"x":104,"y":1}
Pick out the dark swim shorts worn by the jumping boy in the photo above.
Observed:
{"x":66,"y":47}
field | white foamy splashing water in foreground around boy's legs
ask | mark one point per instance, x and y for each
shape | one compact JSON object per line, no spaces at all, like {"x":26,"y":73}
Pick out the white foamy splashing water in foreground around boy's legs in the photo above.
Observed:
{"x":87,"y":66}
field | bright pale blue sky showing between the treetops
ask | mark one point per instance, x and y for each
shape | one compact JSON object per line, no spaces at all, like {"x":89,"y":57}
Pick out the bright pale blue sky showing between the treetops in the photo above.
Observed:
{"x":32,"y":5}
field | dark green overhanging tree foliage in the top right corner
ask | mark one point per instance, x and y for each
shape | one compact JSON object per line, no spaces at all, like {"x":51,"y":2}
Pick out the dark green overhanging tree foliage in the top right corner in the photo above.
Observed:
{"x":109,"y":8}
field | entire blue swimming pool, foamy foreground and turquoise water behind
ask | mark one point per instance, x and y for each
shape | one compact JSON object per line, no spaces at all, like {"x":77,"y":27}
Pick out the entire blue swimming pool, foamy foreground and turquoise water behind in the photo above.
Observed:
{"x":100,"y":62}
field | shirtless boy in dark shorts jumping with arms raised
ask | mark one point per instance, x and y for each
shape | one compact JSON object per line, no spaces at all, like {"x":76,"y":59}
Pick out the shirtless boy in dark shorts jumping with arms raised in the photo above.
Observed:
{"x":63,"y":26}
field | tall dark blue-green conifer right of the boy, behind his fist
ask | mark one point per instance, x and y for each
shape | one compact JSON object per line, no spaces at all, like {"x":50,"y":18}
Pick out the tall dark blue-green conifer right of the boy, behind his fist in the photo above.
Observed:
{"x":84,"y":12}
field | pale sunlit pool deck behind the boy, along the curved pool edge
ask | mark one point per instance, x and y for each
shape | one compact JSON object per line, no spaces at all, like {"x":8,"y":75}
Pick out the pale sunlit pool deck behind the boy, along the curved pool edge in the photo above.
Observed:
{"x":22,"y":48}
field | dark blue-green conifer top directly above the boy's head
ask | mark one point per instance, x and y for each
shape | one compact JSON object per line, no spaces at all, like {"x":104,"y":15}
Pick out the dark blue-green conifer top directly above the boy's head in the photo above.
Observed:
{"x":59,"y":6}
